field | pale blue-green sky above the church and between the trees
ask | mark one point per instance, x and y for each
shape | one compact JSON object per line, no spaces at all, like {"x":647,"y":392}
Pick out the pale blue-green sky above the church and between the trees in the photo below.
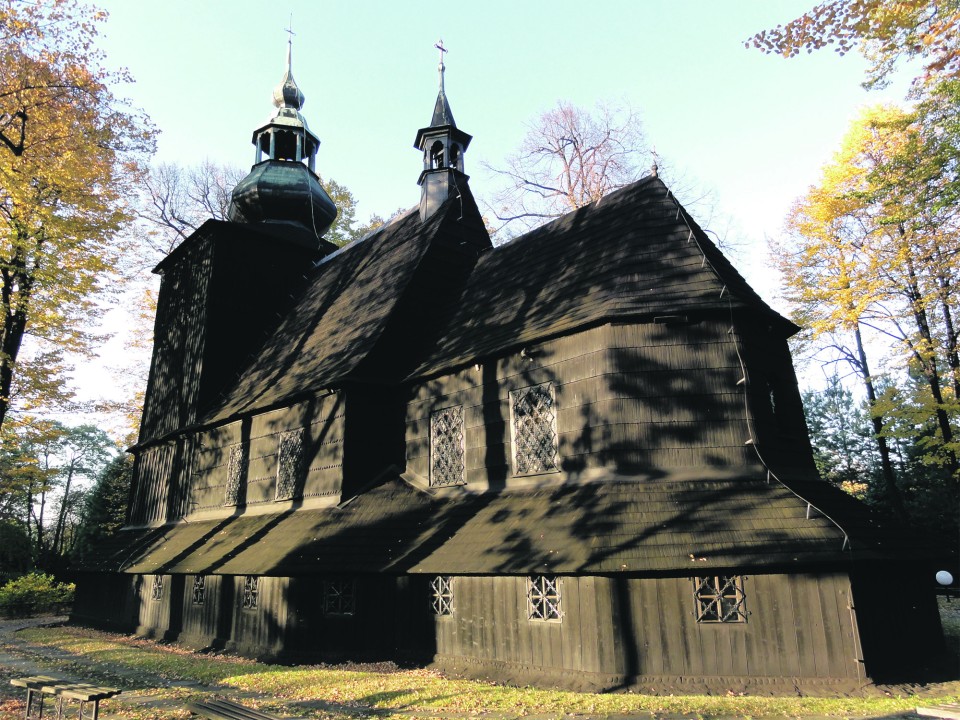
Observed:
{"x":755,"y":129}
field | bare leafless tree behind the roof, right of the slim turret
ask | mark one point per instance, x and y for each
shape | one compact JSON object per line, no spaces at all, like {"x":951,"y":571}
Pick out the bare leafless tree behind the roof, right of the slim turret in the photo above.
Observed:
{"x":570,"y":157}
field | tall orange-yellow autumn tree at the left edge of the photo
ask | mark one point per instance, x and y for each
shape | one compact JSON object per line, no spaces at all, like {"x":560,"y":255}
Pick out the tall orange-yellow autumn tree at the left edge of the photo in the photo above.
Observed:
{"x":63,"y":199}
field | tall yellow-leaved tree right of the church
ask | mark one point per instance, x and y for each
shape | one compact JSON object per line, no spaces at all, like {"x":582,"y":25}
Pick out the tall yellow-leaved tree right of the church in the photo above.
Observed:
{"x":872,"y":268}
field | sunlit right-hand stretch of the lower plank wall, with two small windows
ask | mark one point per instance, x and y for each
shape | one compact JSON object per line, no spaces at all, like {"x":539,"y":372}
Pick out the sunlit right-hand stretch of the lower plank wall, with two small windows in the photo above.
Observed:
{"x":798,"y":626}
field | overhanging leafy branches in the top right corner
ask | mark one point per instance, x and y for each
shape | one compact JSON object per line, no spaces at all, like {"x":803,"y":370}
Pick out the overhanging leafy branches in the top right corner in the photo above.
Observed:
{"x":884,"y":32}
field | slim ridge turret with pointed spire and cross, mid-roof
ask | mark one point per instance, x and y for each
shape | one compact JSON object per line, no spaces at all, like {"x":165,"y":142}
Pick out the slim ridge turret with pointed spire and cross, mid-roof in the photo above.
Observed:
{"x":442,"y":145}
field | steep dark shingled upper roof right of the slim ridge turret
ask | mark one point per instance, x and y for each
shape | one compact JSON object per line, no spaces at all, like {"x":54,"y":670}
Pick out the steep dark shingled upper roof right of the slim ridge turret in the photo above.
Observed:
{"x":635,"y":253}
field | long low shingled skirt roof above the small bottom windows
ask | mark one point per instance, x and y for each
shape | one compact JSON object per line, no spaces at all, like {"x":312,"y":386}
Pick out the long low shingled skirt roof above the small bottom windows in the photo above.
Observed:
{"x":614,"y":526}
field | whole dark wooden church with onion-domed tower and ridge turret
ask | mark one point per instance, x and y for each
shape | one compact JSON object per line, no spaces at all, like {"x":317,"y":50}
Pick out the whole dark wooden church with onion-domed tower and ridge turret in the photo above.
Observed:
{"x":579,"y":458}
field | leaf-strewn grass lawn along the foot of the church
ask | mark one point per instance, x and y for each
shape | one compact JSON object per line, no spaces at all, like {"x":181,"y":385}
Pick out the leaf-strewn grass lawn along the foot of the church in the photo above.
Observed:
{"x":139,"y":667}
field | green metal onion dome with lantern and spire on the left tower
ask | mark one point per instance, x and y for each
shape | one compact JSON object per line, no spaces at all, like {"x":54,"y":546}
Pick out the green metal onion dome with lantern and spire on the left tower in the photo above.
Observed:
{"x":282,"y":191}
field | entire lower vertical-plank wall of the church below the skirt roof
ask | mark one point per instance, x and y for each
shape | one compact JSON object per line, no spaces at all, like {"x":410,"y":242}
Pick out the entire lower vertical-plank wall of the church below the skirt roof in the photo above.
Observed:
{"x":611,"y":626}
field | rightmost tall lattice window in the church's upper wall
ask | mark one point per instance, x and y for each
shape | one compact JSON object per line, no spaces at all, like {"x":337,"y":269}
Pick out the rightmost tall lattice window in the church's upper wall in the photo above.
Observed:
{"x":534,"y":419}
